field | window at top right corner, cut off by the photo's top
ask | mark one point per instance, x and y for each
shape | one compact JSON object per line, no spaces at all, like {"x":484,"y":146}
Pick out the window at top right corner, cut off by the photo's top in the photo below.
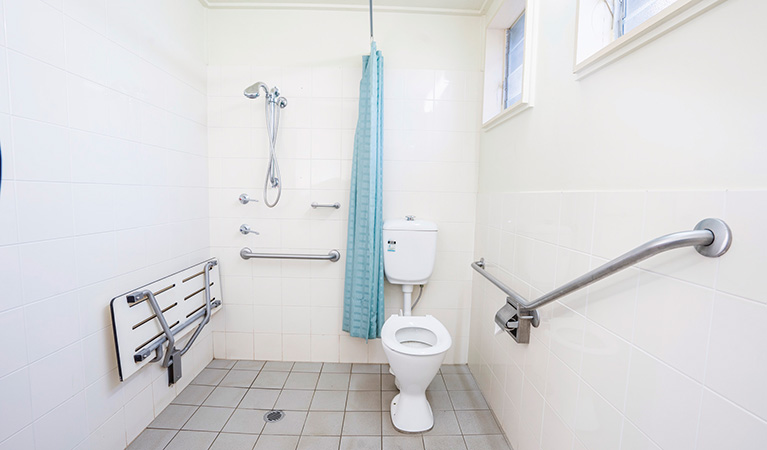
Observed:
{"x":610,"y":29}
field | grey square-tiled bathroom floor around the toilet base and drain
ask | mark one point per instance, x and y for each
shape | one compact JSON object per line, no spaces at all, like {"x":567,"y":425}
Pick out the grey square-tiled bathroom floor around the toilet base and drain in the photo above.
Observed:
{"x":328,"y":407}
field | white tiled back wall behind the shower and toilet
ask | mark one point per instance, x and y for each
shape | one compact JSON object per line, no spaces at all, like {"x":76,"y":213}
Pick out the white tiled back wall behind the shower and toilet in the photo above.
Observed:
{"x":292,"y":310}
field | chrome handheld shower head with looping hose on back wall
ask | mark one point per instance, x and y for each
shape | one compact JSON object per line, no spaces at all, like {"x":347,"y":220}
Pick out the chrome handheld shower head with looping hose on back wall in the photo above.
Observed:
{"x":274,"y":102}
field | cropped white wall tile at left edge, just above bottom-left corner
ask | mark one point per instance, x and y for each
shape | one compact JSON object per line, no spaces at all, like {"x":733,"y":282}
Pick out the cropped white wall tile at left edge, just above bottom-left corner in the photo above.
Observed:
{"x":17,"y":410}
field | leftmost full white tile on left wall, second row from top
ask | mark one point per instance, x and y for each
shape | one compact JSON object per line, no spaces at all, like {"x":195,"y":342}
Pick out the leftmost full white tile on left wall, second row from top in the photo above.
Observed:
{"x":36,"y":91}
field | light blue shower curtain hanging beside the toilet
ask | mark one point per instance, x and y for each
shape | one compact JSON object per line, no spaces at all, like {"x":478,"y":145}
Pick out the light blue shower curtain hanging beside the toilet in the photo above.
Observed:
{"x":363,"y":287}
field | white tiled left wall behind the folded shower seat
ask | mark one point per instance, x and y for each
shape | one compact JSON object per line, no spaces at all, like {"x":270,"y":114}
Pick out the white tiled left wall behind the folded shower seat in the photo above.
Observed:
{"x":103,"y":130}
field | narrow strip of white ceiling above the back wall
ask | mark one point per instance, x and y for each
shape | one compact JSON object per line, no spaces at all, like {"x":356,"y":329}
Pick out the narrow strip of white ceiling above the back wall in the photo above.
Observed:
{"x":472,"y":7}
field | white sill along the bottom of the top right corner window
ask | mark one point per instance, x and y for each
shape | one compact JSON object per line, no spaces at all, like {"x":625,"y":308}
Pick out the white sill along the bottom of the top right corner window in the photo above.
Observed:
{"x":665,"y":21}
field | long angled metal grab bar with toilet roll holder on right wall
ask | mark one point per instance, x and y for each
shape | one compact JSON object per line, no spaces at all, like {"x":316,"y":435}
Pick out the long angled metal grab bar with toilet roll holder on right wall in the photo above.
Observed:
{"x":711,"y":238}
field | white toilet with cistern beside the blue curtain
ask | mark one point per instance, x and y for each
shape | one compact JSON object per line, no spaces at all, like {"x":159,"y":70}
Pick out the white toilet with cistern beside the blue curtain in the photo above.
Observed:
{"x":415,"y":346}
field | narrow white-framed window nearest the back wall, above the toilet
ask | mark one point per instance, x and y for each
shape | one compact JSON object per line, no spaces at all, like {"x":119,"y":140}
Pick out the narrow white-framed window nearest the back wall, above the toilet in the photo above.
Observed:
{"x":507,"y":88}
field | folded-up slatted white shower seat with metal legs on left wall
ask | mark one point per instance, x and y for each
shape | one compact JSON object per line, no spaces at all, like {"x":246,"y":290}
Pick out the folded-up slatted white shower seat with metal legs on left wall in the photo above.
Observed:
{"x":153,"y":318}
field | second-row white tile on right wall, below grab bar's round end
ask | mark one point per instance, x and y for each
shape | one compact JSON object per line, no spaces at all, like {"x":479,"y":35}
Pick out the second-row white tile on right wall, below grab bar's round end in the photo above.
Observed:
{"x":680,"y":342}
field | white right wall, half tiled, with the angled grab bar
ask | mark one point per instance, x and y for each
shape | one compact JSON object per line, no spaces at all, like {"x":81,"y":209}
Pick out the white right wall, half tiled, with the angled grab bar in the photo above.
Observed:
{"x":666,"y":355}
